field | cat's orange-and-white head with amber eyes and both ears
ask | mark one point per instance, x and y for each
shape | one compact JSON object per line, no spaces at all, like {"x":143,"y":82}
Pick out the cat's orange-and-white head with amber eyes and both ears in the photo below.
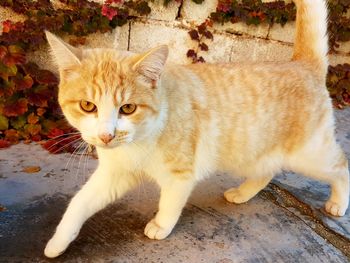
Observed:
{"x":112,"y":97}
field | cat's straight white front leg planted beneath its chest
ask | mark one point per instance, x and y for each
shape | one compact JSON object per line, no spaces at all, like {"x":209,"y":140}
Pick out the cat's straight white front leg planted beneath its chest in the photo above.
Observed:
{"x":173,"y":197}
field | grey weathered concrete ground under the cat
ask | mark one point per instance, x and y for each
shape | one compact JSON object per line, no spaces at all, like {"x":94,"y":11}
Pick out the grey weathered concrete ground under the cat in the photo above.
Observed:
{"x":284,"y":223}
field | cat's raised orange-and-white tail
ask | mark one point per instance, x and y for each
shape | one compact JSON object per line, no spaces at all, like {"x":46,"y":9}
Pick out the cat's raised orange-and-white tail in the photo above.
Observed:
{"x":311,"y":40}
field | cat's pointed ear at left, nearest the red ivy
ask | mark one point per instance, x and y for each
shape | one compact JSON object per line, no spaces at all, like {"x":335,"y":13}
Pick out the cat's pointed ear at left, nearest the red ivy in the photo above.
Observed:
{"x":64,"y":54}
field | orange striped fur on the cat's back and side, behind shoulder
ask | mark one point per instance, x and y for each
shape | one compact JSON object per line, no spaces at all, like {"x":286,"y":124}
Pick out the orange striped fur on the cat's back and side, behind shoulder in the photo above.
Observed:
{"x":257,"y":106}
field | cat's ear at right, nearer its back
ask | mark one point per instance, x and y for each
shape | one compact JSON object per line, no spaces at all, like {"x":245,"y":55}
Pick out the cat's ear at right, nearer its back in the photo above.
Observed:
{"x":151,"y":64}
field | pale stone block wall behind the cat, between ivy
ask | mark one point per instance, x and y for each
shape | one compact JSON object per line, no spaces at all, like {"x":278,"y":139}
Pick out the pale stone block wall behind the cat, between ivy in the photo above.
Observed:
{"x":170,"y":25}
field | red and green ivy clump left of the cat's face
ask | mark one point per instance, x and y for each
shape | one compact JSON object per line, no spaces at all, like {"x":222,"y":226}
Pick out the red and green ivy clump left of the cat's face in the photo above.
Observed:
{"x":28,"y":100}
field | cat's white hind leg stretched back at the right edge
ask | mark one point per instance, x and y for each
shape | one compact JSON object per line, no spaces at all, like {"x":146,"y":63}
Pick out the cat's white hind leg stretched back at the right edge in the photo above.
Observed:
{"x":324,"y":160}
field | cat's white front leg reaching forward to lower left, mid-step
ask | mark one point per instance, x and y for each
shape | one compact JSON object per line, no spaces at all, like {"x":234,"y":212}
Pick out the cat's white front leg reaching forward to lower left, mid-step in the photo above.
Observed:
{"x":101,"y":189}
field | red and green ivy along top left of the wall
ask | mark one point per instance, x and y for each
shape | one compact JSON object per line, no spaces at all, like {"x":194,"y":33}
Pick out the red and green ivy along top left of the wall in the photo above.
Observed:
{"x":81,"y":18}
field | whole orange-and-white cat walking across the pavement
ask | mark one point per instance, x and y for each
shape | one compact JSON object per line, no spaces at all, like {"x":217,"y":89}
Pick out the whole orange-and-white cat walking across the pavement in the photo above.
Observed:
{"x":179,"y":124}
